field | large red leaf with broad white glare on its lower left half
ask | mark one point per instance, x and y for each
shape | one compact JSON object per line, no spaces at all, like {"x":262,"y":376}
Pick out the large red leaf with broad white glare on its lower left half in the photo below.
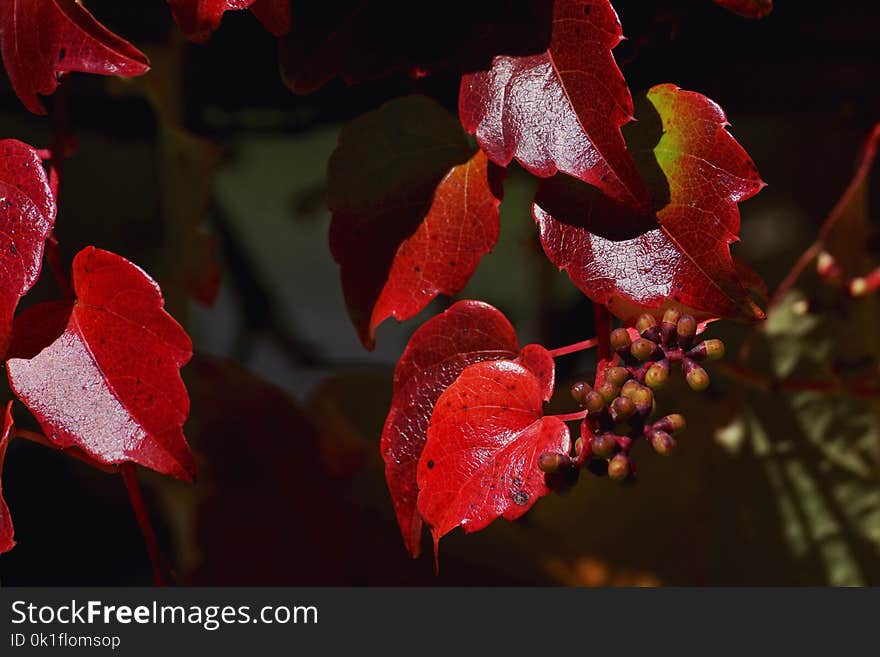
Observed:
{"x":110,"y":384}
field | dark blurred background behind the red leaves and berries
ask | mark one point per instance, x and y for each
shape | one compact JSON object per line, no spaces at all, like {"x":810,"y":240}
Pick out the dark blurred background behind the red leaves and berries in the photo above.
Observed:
{"x":287,"y":407}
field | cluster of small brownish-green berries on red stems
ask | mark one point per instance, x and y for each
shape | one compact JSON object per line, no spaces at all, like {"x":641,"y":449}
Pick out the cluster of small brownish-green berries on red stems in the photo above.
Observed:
{"x":619,"y":408}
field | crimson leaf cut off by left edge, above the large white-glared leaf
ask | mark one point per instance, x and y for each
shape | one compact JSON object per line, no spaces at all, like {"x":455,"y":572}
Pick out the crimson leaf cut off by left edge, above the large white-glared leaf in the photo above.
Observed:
{"x":27,"y":214}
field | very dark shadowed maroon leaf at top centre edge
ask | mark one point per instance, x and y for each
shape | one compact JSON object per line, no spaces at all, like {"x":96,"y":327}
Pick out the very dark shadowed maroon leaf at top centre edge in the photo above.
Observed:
{"x":360,"y":41}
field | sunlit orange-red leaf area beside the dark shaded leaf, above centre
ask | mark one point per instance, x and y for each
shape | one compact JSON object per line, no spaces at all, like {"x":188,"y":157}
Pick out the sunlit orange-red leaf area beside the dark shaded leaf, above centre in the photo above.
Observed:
{"x":441,"y":256}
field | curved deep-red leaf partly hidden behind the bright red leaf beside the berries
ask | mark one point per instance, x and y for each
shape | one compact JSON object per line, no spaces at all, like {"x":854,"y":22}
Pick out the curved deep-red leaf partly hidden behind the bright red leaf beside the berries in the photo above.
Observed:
{"x":468,"y":332}
